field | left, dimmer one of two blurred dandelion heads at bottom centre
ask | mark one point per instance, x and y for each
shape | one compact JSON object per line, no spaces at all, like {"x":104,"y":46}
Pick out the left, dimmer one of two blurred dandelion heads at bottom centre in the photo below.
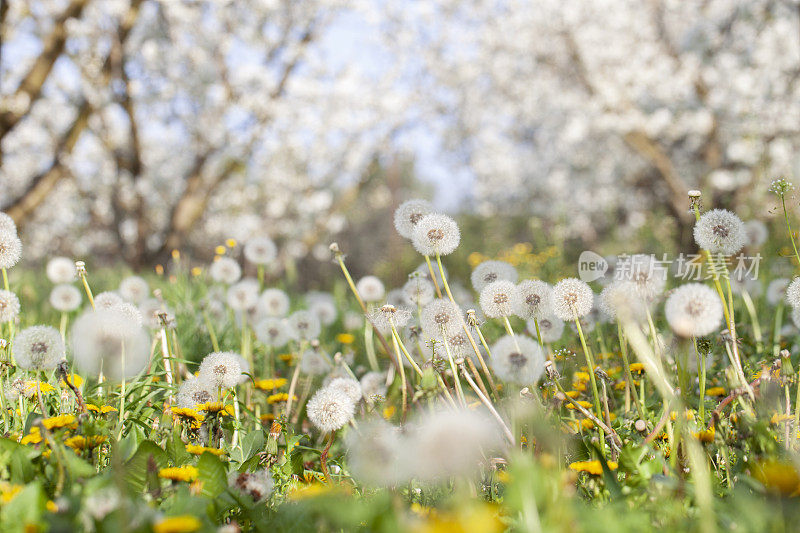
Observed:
{"x":375,"y":454}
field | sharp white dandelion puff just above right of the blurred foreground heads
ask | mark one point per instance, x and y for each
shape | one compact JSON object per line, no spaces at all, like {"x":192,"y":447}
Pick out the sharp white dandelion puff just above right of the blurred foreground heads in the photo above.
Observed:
{"x":518,"y":360}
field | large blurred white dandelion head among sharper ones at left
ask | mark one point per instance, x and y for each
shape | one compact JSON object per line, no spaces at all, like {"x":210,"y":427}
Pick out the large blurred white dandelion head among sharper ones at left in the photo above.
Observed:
{"x":107,"y":340}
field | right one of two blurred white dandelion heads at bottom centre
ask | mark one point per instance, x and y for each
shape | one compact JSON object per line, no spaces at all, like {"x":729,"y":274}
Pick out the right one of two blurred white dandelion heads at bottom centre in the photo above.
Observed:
{"x":449,"y":443}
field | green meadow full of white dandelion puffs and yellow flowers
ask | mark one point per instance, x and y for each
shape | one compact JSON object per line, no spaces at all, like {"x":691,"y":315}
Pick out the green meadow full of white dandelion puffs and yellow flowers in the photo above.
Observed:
{"x":206,"y":397}
